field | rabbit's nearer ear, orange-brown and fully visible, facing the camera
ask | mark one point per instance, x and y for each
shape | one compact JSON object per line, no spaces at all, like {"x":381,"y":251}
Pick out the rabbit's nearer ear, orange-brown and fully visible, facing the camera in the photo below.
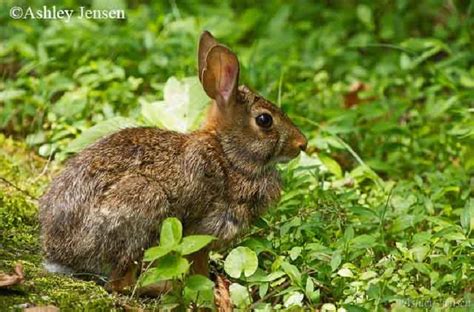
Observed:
{"x":221,"y":74}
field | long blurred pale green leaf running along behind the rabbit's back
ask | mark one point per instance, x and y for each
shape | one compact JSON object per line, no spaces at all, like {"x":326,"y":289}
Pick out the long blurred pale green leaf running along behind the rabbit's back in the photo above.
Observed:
{"x":99,"y":131}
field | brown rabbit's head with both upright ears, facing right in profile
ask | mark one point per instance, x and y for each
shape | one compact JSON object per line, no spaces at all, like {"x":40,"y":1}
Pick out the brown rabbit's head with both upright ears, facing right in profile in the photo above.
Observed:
{"x":252,"y":130}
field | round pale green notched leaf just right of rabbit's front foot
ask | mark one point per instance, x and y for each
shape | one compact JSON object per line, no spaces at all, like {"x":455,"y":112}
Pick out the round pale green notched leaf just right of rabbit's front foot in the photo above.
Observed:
{"x":241,"y":259}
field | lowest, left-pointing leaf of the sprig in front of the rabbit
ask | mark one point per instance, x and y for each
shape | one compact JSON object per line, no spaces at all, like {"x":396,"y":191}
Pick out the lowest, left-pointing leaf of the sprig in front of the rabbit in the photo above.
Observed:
{"x":168,"y":267}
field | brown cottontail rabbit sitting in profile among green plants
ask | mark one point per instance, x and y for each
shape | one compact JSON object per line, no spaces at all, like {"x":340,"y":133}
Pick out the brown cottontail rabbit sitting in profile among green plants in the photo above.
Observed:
{"x":106,"y":207}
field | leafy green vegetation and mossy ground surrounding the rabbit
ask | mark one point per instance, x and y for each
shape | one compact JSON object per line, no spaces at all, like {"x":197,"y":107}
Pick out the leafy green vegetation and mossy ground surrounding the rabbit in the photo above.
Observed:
{"x":378,"y":214}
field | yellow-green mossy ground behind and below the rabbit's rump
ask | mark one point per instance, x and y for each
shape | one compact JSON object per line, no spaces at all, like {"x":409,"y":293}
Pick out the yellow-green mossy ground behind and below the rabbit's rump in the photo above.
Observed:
{"x":19,"y":242}
